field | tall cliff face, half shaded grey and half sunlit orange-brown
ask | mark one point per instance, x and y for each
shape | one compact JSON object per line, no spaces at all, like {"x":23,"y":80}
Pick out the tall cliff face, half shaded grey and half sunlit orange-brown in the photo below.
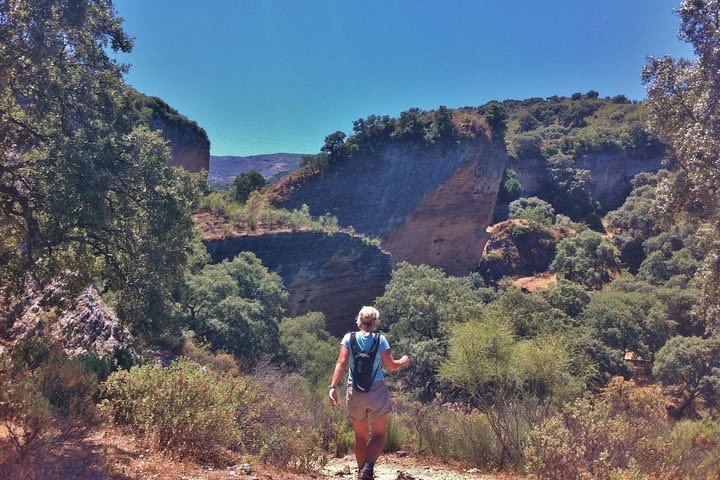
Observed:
{"x":428,"y":203}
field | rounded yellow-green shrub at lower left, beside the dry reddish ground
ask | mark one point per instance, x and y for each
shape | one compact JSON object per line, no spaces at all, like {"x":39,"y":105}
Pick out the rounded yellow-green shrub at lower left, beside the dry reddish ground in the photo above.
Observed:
{"x":182,"y":409}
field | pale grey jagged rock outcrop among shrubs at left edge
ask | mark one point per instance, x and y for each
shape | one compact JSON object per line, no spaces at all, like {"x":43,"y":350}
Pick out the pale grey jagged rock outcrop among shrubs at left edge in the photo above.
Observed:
{"x":83,"y":325}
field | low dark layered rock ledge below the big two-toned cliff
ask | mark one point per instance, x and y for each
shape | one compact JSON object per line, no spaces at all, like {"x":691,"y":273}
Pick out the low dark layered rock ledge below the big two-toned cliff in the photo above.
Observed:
{"x":334,"y":274}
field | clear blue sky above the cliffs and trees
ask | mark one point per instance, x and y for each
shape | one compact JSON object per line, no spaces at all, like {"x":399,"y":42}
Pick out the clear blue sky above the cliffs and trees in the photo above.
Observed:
{"x":267,"y":76}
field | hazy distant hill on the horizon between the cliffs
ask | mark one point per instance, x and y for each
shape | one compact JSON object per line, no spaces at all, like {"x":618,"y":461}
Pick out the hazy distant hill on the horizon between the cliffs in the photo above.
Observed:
{"x":224,"y":169}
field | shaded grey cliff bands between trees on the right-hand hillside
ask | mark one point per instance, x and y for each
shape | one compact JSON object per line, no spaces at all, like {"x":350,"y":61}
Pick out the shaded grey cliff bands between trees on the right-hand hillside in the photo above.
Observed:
{"x":610,"y":174}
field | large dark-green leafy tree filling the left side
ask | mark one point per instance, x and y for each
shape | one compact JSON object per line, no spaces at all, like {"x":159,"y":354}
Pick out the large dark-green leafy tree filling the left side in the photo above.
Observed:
{"x":84,"y":185}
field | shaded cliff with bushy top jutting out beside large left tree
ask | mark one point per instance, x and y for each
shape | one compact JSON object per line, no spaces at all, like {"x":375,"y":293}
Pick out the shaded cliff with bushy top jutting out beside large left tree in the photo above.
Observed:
{"x":189,"y":143}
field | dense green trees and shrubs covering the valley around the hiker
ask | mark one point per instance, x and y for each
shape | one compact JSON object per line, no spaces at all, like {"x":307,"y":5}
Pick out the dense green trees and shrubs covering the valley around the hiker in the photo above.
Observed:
{"x":499,"y":376}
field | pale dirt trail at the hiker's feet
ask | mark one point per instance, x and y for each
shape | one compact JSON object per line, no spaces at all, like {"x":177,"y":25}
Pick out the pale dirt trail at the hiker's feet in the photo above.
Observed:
{"x":394,"y":467}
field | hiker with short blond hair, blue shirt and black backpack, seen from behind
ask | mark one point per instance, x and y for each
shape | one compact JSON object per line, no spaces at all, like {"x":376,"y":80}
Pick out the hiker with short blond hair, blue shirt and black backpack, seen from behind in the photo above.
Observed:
{"x":368,"y":397}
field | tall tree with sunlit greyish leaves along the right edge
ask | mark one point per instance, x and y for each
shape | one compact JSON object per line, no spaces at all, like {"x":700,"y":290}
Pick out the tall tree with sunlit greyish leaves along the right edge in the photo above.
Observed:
{"x":684,"y":105}
